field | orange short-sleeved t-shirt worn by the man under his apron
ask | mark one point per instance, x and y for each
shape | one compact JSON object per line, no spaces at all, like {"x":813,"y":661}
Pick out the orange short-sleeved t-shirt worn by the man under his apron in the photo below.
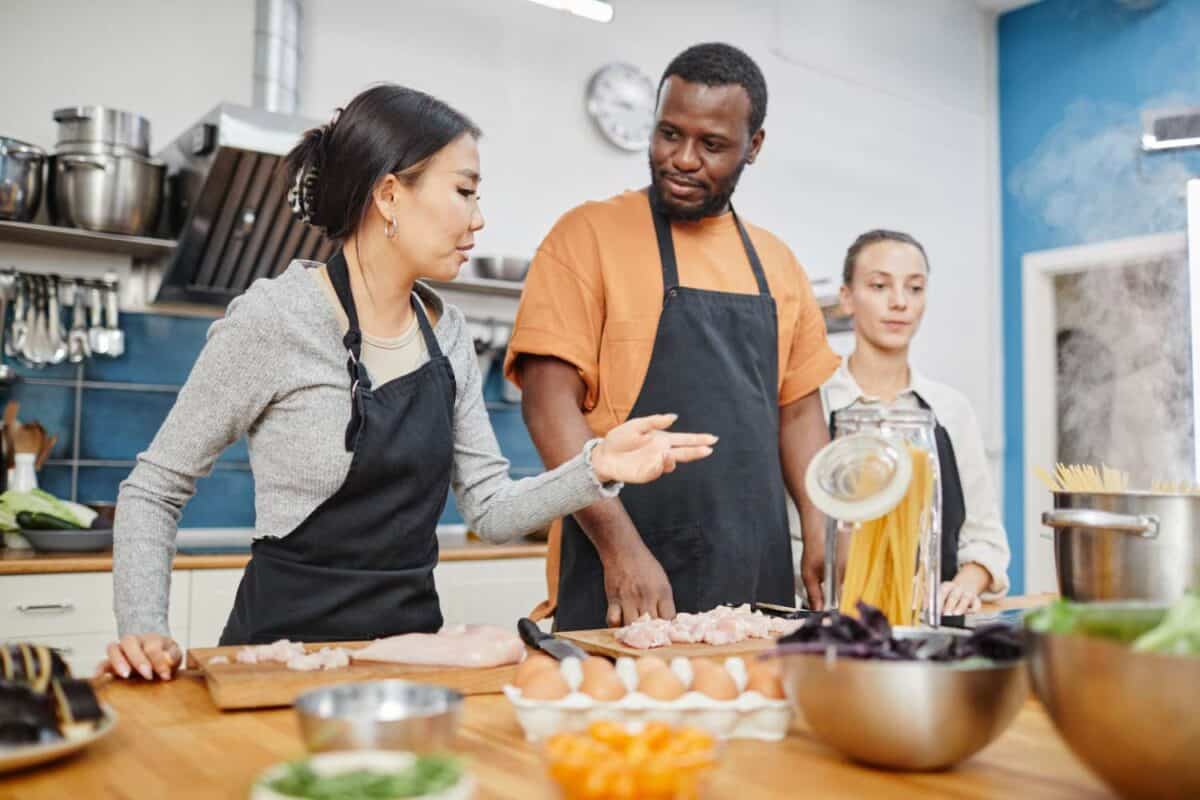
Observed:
{"x":595,"y":293}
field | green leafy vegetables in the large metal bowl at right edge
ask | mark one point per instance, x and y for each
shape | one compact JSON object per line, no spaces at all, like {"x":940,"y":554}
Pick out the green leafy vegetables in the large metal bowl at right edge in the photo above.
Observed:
{"x":1175,"y":631}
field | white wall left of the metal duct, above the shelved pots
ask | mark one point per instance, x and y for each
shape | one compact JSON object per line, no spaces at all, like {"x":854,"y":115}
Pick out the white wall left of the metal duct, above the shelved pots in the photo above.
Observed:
{"x":169,"y":61}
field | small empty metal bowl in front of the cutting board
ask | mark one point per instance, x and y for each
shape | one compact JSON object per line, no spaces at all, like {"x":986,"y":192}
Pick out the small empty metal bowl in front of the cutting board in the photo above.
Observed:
{"x":380,"y":715}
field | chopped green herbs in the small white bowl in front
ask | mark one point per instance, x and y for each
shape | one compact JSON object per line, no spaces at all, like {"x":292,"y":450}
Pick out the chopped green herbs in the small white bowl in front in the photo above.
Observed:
{"x":429,"y":774}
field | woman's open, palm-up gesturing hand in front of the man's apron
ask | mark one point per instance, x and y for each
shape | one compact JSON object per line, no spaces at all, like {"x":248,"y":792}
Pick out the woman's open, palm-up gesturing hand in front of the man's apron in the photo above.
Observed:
{"x":641,"y":450}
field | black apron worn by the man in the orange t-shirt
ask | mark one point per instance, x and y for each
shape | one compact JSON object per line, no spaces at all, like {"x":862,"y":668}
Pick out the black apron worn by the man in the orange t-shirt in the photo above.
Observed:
{"x":719,"y":526}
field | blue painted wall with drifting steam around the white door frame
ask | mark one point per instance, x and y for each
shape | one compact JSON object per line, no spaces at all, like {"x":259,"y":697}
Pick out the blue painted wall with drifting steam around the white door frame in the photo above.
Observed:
{"x":1075,"y":77}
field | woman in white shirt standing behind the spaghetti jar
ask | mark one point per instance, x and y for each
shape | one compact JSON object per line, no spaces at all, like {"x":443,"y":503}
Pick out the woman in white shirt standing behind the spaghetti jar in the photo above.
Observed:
{"x":884,"y":290}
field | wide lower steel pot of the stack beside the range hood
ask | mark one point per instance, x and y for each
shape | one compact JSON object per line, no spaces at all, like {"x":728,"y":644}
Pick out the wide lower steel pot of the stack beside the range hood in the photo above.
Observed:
{"x":119,"y":195}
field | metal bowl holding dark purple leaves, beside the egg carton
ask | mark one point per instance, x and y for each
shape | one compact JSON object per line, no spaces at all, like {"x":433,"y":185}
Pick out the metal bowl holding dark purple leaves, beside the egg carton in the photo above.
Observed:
{"x":907,"y":715}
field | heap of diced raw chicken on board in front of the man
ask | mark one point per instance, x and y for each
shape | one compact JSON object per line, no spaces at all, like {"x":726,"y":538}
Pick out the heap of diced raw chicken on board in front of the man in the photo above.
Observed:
{"x":721,"y":625}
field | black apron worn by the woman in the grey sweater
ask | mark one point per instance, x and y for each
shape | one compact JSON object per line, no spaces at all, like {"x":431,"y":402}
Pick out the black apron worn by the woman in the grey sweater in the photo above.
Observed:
{"x":362,"y":566}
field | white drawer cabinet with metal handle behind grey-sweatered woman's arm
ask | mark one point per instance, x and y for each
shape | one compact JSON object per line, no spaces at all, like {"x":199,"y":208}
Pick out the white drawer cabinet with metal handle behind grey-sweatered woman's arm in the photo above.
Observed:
{"x":73,"y":611}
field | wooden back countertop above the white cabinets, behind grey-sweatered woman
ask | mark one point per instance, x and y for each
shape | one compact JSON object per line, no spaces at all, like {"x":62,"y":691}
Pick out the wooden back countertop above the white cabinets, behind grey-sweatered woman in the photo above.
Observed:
{"x":453,"y":549}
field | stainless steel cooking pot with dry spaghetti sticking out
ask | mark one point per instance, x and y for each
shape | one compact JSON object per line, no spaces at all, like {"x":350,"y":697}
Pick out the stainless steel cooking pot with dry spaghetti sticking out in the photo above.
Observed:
{"x":1126,"y":545}
